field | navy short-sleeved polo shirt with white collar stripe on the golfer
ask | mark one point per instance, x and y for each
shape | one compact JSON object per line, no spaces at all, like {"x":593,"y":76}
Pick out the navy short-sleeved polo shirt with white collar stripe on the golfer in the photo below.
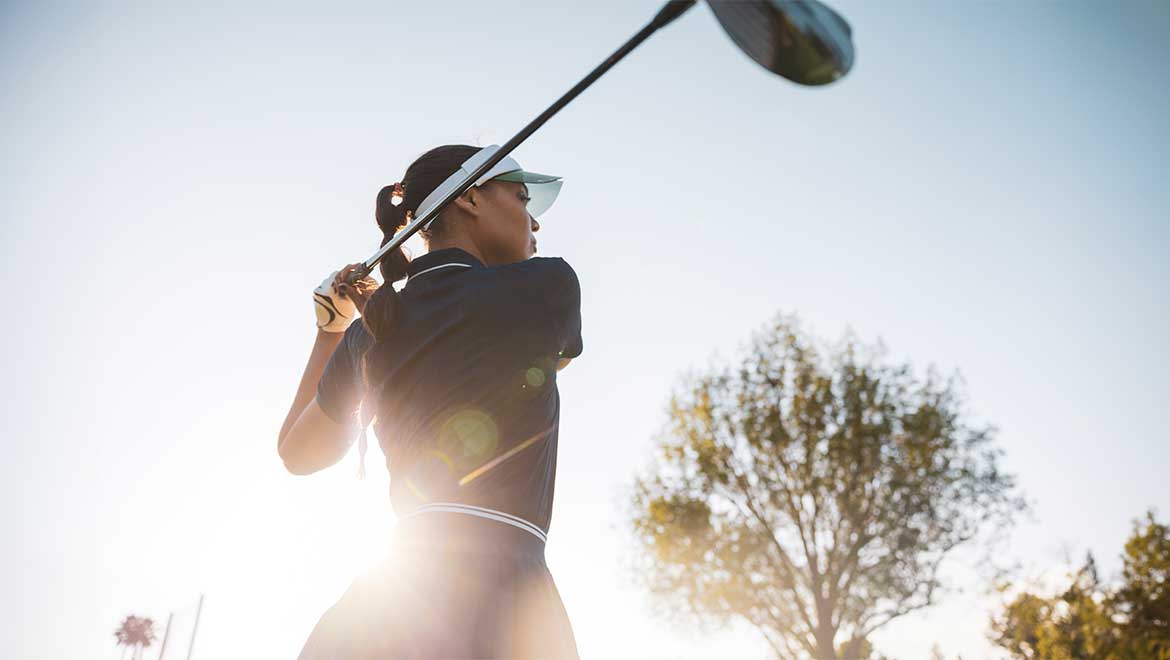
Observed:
{"x":465,"y":389}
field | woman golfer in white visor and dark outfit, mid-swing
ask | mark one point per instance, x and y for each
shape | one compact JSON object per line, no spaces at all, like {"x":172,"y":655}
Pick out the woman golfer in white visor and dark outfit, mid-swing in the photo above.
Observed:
{"x":459,"y":374}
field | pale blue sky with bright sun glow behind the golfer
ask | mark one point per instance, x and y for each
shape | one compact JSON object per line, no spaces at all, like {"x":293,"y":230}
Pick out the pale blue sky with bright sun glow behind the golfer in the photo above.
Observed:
{"x":986,"y":192}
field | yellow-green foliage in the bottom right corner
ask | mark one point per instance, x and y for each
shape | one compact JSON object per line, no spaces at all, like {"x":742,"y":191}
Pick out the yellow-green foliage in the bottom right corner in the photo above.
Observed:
{"x":1091,"y":621}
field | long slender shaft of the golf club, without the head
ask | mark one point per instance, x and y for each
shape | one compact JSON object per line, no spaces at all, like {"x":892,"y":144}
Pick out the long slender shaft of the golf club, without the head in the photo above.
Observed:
{"x":670,"y":12}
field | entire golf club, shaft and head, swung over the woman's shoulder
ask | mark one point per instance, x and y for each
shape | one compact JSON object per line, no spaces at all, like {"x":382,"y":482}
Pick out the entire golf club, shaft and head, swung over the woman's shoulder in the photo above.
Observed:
{"x":801,"y":40}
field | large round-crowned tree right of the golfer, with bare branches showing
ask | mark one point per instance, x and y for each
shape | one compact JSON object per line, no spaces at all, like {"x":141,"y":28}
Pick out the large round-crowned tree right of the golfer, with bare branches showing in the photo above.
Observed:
{"x":813,"y":498}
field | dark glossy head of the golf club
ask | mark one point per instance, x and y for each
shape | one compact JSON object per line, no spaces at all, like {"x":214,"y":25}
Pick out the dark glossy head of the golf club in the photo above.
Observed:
{"x":802,"y":40}
